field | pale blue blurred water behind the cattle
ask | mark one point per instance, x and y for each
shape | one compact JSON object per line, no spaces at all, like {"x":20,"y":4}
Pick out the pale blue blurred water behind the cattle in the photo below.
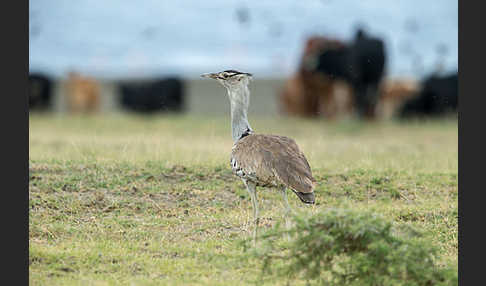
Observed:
{"x":113,"y":39}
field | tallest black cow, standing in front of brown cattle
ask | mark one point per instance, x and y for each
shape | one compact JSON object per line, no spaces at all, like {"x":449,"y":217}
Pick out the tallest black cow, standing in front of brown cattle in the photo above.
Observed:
{"x":361,"y":64}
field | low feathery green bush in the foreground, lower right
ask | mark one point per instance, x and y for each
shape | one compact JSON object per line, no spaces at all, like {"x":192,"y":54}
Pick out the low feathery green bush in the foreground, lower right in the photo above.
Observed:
{"x":344,"y":247}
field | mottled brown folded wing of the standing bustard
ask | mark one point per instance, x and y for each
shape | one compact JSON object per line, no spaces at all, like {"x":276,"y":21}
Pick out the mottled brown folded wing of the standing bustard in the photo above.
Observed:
{"x":270,"y":156}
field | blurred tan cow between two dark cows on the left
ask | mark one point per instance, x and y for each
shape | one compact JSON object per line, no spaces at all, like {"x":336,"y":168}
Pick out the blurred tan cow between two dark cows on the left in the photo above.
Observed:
{"x":83,"y":93}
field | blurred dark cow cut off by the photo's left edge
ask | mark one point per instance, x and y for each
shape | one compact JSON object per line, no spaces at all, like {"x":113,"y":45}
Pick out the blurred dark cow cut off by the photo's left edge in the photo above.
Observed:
{"x":40,"y":90}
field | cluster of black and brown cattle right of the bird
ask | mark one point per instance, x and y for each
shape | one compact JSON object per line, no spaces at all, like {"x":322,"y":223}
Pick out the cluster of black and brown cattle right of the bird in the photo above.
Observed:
{"x":336,"y":78}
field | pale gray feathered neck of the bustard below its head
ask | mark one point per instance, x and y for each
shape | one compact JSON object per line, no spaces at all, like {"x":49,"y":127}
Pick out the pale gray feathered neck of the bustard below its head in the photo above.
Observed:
{"x":239,"y":101}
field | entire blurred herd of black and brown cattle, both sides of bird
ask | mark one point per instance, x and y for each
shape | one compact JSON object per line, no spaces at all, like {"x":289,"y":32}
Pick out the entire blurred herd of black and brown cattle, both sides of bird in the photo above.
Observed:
{"x":334,"y":78}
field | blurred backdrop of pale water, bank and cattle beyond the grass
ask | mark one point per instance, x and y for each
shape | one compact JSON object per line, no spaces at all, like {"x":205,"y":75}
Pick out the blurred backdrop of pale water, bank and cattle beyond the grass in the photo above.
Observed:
{"x":330,"y":59}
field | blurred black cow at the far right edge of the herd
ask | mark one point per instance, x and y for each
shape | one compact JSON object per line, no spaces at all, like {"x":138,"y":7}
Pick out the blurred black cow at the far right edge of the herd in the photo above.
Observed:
{"x":438,"y":96}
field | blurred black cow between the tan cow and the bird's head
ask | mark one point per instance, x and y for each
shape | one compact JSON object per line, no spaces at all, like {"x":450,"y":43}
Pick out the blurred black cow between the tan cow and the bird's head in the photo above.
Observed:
{"x":160,"y":95}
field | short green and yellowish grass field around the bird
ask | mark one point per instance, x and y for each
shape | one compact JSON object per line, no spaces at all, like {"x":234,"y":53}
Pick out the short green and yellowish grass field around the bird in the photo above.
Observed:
{"x":128,"y":200}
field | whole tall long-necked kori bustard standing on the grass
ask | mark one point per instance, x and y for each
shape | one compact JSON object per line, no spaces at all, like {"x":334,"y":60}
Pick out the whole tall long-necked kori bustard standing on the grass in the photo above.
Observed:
{"x":263,"y":160}
